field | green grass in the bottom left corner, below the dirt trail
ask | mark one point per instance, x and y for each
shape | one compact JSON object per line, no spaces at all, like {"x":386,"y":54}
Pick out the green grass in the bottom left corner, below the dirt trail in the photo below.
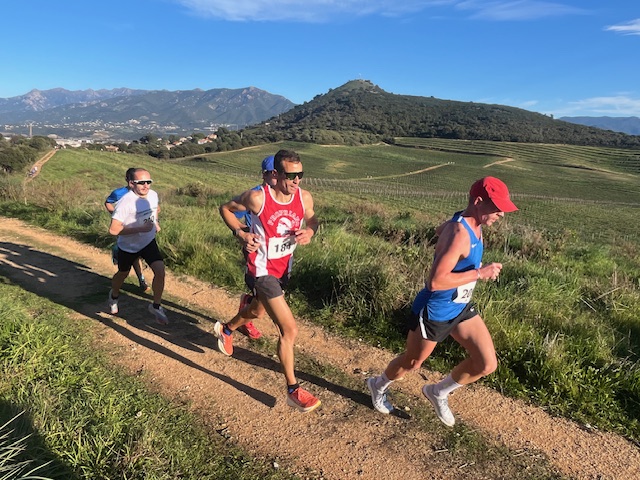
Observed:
{"x":84,"y":419}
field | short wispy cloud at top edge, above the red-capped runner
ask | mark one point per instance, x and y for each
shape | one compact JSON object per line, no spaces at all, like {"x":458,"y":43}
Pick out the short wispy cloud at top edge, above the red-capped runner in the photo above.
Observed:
{"x":517,"y":10}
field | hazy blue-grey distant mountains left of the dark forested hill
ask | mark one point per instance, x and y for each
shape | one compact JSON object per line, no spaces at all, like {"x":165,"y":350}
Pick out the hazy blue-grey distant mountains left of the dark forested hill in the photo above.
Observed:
{"x":129,"y":114}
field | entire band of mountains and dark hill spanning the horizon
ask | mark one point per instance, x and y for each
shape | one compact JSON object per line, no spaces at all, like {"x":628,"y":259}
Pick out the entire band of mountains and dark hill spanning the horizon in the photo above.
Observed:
{"x":356,"y":112}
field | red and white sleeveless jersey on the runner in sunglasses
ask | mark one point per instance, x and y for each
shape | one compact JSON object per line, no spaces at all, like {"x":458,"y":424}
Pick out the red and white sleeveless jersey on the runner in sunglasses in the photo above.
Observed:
{"x":275,"y":223}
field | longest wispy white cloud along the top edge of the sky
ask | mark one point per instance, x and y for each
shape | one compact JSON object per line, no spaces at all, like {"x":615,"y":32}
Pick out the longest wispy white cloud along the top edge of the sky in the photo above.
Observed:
{"x":304,"y":10}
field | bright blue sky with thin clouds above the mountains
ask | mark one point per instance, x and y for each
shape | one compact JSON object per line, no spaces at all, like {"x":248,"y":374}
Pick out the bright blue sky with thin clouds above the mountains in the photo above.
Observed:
{"x":565,"y":57}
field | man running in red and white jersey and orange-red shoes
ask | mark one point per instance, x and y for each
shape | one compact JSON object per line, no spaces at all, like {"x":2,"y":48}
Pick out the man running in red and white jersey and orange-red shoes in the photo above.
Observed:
{"x":278,"y":213}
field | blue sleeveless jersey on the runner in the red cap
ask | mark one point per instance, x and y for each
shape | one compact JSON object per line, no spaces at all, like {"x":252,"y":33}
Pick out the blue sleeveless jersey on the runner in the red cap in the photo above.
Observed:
{"x":445,"y":305}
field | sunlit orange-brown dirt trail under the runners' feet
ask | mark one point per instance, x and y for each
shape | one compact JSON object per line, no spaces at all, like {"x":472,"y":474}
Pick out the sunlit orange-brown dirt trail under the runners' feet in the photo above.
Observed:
{"x":242,"y":396}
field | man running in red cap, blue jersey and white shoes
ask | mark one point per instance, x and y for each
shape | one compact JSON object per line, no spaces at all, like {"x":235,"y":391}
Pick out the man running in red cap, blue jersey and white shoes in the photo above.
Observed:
{"x":444,"y":306}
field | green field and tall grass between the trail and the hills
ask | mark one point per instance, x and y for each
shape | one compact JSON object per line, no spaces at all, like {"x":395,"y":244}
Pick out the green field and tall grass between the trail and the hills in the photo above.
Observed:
{"x":565,"y":316}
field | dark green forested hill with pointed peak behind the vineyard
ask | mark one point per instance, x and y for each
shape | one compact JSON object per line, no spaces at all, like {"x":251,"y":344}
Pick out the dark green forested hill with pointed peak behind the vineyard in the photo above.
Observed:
{"x":361,"y":112}
